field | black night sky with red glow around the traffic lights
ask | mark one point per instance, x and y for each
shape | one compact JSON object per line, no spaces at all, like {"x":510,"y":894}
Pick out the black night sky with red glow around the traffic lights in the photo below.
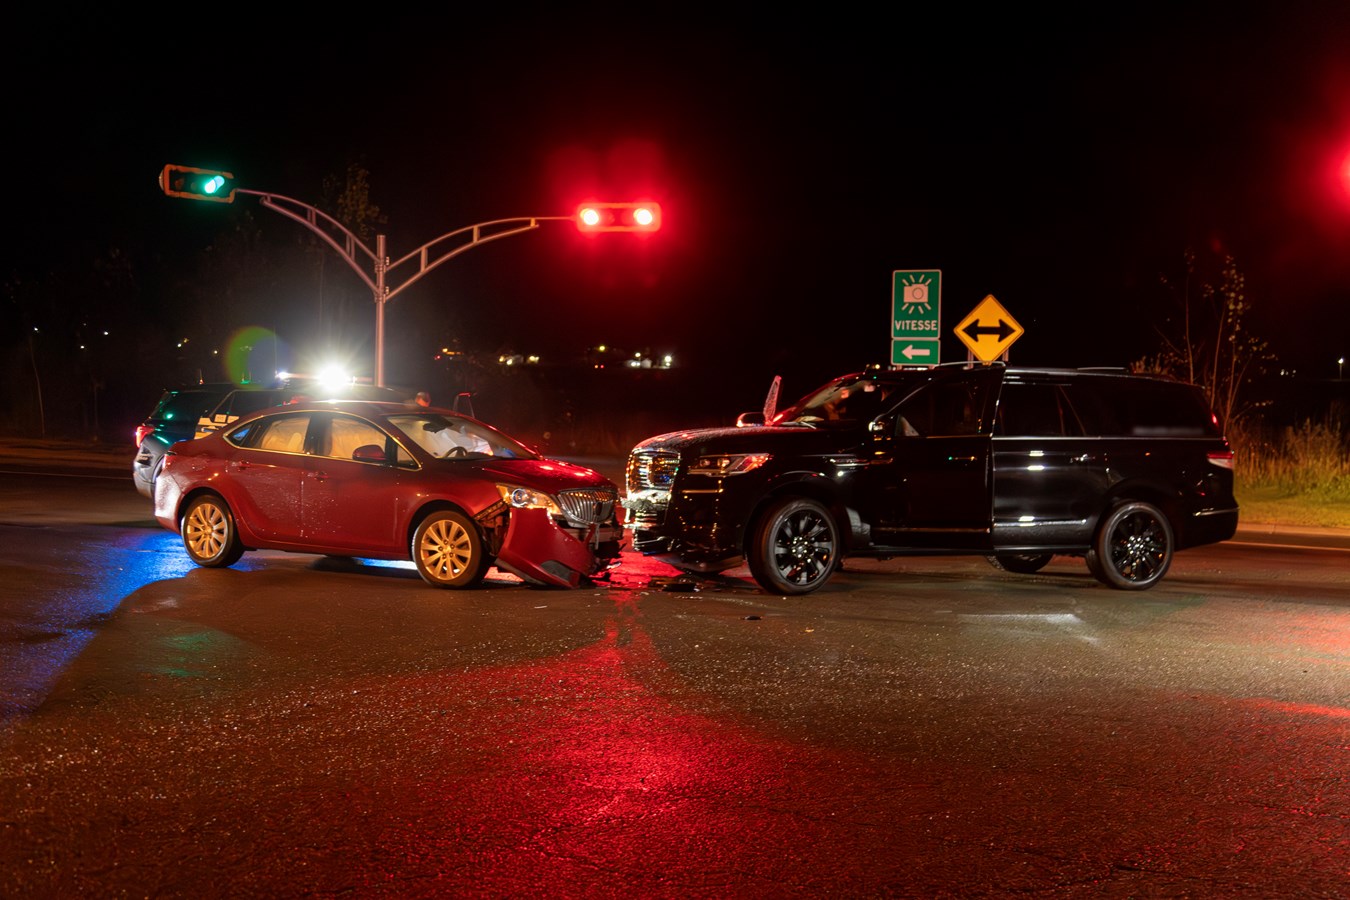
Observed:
{"x":1052,"y":161}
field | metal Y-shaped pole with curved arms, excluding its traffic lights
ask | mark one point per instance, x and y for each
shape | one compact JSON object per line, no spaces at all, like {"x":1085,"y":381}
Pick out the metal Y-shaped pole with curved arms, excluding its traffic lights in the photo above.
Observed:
{"x":362,"y":258}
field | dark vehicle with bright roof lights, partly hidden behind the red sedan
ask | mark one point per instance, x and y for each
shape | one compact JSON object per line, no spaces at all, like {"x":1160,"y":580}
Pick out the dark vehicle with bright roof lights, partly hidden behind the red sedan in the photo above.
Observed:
{"x":196,"y":411}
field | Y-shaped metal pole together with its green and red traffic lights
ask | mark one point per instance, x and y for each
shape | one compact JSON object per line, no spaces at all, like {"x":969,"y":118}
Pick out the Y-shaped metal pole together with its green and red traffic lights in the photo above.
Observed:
{"x":202,"y":184}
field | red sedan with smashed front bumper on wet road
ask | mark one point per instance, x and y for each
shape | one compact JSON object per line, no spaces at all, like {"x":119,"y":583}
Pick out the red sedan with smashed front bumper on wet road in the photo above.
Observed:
{"x":392,"y":482}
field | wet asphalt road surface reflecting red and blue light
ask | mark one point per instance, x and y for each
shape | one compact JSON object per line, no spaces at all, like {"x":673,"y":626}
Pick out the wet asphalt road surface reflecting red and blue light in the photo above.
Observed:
{"x":923,"y":728}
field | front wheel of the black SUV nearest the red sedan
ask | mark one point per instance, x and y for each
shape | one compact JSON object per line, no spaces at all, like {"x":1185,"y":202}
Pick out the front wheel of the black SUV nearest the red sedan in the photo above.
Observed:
{"x":796,"y":547}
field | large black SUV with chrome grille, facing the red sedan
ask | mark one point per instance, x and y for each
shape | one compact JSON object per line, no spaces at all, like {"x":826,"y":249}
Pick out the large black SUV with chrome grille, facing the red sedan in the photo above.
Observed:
{"x":1017,"y":465}
